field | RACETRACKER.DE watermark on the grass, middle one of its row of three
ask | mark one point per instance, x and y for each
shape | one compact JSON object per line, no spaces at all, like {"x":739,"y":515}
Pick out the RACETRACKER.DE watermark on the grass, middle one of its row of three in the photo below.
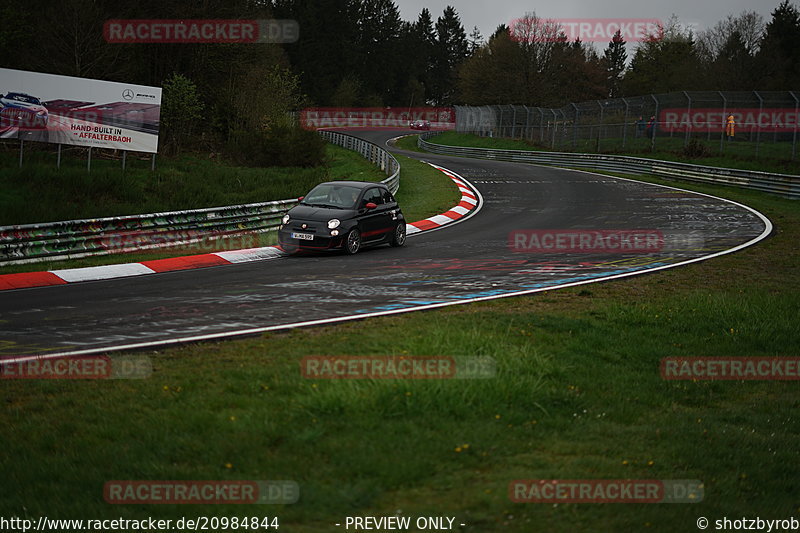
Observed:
{"x":397,"y":367}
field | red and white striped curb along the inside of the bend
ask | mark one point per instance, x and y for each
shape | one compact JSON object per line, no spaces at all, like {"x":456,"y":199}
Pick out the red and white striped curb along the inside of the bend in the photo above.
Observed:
{"x":469,"y":204}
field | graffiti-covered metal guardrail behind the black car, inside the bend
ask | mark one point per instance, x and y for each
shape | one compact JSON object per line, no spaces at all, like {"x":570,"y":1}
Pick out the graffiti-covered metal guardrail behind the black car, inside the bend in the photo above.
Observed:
{"x":80,"y":238}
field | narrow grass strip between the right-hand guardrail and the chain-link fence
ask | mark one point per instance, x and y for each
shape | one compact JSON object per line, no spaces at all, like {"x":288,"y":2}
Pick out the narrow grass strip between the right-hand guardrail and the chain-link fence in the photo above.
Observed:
{"x":771,"y":159}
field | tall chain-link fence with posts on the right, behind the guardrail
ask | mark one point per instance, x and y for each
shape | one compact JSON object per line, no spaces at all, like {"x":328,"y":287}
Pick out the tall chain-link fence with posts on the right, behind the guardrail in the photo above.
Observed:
{"x":755,"y":123}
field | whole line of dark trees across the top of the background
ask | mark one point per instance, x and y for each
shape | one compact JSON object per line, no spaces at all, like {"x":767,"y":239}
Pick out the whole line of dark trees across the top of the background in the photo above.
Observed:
{"x":361,"y":53}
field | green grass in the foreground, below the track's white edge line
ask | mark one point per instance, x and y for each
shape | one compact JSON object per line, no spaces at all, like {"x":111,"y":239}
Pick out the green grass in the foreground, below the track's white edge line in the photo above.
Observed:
{"x":578,"y":395}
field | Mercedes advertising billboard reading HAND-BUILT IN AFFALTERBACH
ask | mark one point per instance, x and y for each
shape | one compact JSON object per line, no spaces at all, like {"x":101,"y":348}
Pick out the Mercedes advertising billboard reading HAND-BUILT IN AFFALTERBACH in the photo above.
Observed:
{"x":65,"y":110}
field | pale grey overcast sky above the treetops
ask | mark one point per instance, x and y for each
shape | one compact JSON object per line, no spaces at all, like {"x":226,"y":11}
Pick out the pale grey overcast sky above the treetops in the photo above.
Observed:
{"x":488,"y":15}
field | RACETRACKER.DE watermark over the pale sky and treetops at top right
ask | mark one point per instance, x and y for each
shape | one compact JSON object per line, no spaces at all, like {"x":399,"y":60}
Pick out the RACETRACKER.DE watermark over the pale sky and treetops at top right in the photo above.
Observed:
{"x":597,"y":30}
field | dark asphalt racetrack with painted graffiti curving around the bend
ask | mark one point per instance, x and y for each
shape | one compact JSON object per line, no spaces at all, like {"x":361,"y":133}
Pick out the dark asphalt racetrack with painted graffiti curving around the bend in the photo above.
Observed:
{"x":460,"y":263}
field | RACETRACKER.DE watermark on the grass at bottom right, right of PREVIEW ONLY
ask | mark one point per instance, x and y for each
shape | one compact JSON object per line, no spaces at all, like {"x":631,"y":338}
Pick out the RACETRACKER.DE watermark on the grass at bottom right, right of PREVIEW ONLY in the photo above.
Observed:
{"x":605,"y":491}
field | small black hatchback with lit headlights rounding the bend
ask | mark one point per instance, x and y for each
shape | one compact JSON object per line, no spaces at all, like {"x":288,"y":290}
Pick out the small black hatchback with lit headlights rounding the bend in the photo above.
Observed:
{"x":347,"y":215}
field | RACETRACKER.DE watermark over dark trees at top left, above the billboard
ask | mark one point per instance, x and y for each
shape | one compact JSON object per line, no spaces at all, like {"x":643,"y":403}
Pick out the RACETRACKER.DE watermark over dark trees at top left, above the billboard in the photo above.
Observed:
{"x":141,"y":31}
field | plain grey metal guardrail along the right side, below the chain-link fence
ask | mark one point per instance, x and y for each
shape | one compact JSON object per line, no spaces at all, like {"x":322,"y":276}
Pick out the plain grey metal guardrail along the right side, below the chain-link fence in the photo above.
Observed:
{"x":781,"y":184}
